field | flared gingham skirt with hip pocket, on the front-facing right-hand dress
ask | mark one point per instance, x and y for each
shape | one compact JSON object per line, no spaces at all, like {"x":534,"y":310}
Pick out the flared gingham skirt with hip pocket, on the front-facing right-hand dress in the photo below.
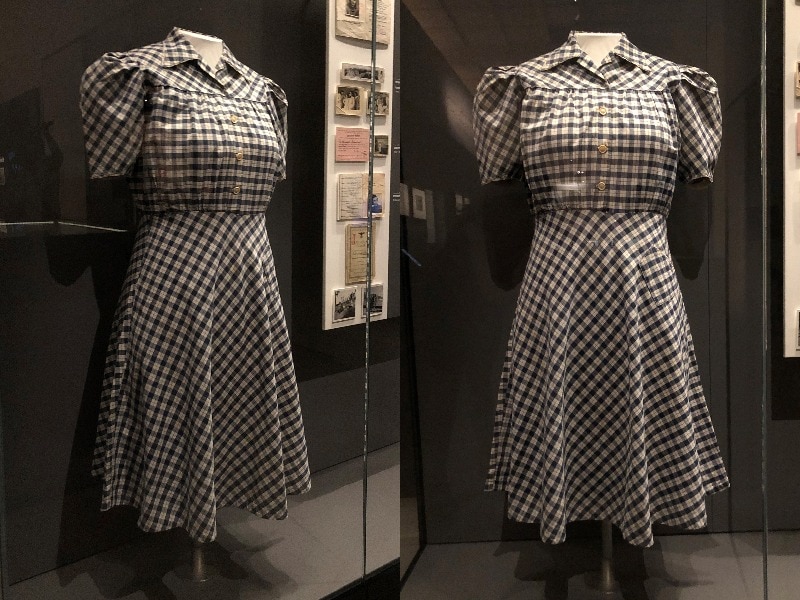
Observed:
{"x":601,"y":412}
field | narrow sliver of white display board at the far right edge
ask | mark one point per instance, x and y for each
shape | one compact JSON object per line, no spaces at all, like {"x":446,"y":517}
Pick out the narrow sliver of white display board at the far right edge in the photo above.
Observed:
{"x":791,"y":217}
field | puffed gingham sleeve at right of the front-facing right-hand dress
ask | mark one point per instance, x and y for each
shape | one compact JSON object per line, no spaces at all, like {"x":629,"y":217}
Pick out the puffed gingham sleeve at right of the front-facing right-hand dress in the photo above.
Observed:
{"x":700,"y":120}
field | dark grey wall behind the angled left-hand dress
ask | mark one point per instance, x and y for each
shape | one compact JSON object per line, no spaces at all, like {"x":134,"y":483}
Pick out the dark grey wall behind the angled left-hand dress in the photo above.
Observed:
{"x":59,"y":291}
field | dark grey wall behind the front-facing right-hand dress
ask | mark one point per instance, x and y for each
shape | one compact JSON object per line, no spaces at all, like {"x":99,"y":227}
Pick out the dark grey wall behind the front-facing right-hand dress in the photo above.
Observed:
{"x":464,"y":294}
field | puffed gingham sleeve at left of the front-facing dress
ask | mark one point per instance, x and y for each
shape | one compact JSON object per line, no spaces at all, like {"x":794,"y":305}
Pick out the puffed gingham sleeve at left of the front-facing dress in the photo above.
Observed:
{"x":495,"y":121}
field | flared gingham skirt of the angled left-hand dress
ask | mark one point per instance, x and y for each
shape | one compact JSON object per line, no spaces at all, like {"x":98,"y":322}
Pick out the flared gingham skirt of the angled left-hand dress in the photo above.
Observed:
{"x":199,"y":405}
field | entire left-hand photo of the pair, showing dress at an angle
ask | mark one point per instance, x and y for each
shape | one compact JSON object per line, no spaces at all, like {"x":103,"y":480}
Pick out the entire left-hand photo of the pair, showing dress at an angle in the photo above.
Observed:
{"x":179,"y":416}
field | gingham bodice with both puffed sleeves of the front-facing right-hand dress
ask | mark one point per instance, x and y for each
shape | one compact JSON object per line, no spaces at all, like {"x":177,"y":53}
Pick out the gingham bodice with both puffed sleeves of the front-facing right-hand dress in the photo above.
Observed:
{"x":612,"y":136}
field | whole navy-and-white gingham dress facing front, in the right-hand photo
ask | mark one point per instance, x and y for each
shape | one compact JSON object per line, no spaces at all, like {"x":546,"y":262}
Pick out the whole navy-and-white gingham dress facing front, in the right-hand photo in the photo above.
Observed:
{"x":601,"y":413}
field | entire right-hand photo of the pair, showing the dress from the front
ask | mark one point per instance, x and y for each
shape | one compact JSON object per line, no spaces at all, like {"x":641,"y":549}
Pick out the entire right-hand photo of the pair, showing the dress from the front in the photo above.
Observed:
{"x":587,"y":400}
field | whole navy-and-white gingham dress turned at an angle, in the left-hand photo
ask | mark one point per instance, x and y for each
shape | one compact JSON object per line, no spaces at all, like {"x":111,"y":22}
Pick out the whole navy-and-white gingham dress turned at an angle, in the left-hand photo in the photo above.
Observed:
{"x":199,"y":406}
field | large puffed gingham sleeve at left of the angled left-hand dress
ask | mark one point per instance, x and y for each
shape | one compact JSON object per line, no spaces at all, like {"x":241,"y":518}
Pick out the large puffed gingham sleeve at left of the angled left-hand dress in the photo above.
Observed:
{"x":112,"y":107}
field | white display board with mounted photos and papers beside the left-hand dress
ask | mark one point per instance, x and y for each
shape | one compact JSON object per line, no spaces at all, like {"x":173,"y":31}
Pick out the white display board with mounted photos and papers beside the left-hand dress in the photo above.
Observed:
{"x":354,"y":114}
